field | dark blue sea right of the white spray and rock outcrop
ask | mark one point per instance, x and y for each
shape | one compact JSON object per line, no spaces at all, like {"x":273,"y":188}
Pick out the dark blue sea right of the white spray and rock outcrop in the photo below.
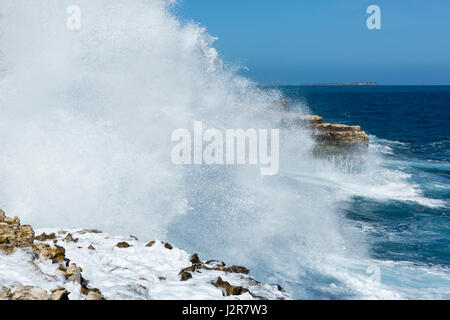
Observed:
{"x":409,"y":128}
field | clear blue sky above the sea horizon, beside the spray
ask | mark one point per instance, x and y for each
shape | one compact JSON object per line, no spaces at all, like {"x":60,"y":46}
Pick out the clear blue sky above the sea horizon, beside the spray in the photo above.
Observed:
{"x":324,"y":41}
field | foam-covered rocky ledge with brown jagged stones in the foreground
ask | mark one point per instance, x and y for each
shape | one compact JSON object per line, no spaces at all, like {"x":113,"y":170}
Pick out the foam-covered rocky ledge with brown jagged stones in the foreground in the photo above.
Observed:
{"x":112,"y":267}
